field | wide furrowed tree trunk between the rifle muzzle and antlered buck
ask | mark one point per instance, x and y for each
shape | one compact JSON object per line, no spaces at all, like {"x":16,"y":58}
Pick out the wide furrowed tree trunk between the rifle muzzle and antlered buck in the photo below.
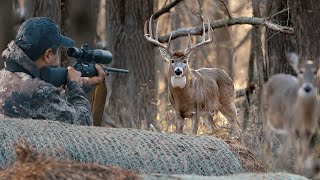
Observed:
{"x":131,"y":103}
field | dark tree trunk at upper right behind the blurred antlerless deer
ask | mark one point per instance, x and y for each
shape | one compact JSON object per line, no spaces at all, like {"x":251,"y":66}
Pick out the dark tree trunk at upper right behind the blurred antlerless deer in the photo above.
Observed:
{"x":303,"y":16}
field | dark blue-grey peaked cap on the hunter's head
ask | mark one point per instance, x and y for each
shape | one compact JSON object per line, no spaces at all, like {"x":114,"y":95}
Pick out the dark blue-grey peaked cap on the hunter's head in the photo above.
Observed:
{"x":38,"y":34}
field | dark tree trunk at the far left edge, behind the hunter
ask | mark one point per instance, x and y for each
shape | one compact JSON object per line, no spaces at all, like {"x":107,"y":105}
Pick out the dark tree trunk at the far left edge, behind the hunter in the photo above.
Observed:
{"x":6,"y":30}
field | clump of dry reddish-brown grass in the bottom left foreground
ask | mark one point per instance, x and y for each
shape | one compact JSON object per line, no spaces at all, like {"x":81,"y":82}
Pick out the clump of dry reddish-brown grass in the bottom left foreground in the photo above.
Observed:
{"x":32,"y":165}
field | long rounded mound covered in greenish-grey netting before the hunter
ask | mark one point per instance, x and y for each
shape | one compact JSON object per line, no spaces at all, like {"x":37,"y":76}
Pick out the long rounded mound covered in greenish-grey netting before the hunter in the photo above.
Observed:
{"x":138,"y":150}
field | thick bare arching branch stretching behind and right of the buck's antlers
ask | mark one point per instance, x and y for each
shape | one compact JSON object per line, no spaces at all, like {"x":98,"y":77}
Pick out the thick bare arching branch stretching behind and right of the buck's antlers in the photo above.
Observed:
{"x":227,"y":22}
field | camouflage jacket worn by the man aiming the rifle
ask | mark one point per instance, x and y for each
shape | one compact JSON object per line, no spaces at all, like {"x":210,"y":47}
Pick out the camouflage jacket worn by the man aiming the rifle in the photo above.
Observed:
{"x":24,"y":95}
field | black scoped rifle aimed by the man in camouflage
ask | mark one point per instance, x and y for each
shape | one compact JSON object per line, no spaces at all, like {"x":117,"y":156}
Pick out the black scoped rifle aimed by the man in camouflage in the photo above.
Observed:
{"x":86,"y":60}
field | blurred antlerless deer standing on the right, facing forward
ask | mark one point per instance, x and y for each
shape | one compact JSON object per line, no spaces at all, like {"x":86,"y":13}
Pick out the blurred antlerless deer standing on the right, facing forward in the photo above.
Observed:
{"x":290,"y":107}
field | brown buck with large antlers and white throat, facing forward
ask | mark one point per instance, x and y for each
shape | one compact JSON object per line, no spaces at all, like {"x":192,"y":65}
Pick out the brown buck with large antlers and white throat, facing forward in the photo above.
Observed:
{"x":195,"y":93}
